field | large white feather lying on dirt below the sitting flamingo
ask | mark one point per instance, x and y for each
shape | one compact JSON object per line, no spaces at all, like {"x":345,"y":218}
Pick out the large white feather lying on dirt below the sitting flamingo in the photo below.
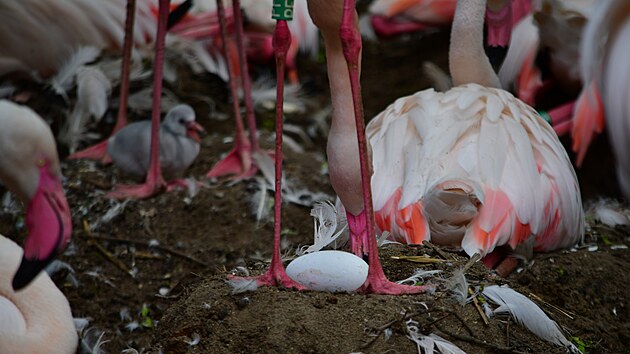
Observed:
{"x":526,"y":313}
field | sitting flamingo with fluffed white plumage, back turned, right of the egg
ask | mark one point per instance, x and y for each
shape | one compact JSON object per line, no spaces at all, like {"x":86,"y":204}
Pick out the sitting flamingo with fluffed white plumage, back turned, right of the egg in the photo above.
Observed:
{"x":473,"y":167}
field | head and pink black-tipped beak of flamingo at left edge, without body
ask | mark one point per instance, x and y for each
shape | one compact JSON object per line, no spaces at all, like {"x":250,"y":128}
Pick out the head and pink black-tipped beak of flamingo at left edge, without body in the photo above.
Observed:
{"x":29,"y":167}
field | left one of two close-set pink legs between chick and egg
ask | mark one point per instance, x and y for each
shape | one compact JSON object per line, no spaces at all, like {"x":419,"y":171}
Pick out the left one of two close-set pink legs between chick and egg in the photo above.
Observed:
{"x":239,"y":160}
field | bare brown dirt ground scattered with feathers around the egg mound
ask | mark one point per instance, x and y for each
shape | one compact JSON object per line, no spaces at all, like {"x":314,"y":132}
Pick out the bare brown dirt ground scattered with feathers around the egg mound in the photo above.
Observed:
{"x":152,"y":279}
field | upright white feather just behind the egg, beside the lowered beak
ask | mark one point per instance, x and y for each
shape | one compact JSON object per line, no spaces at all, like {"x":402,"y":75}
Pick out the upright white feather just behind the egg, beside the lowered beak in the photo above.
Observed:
{"x":329,"y":228}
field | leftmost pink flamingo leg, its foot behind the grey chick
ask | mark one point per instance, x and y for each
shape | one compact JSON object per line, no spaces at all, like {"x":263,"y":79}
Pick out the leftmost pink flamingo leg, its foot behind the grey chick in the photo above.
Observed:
{"x":99,"y":151}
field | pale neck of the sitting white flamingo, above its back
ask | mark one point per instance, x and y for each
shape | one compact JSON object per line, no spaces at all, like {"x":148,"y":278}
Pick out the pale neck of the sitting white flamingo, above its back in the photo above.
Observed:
{"x":468,"y":62}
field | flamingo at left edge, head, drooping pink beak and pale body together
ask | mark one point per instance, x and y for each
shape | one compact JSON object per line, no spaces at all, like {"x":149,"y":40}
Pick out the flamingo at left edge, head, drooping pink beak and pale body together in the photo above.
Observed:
{"x":36,"y":318}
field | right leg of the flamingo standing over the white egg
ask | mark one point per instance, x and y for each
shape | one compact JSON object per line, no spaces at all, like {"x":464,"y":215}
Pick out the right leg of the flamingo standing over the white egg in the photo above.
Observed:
{"x":376,"y":282}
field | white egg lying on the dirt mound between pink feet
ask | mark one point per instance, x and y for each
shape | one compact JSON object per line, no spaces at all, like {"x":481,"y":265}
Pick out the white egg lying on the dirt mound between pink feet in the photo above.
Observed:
{"x":331,"y":271}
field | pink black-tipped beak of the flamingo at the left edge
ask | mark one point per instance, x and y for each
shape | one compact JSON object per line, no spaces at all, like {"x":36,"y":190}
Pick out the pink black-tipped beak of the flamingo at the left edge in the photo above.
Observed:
{"x":49,"y":223}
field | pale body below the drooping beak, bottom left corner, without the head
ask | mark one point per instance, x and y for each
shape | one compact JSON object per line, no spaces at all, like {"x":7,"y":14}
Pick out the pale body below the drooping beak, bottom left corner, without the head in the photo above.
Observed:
{"x":36,"y":319}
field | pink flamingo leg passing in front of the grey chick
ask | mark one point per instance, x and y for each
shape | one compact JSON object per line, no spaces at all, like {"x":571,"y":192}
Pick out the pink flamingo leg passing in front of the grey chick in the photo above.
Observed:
{"x":154,"y":182}
